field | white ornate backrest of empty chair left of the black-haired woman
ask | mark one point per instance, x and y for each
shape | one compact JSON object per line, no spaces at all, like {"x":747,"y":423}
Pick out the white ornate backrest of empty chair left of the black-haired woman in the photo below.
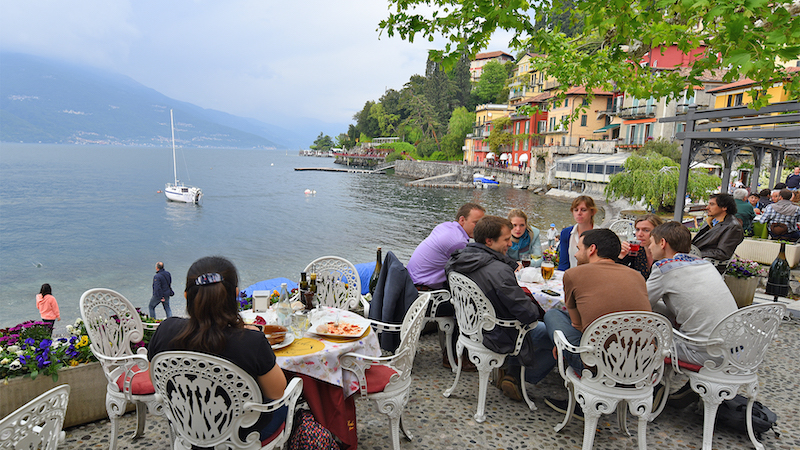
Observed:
{"x":113,"y":324}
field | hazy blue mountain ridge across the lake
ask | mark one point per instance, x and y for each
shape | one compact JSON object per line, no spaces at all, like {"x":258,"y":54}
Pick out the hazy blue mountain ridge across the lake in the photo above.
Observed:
{"x":48,"y":101}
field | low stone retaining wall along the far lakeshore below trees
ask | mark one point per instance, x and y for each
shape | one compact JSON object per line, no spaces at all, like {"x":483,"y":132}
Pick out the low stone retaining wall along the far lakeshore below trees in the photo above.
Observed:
{"x":461,"y":173}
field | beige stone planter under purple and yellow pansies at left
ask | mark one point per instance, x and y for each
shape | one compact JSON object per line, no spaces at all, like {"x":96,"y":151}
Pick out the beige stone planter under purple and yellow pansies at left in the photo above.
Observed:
{"x":87,"y":398}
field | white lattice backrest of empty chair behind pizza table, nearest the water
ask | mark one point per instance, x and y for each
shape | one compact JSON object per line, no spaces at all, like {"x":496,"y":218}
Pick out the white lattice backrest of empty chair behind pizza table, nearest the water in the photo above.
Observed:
{"x":338,"y":283}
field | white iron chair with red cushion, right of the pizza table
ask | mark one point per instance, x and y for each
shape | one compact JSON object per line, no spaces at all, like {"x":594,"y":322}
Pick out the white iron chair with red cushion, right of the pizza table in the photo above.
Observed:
{"x":387,"y":379}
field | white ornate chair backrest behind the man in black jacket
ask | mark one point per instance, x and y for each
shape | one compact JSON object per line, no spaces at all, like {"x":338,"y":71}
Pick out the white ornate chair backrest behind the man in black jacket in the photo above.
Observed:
{"x":472,"y":307}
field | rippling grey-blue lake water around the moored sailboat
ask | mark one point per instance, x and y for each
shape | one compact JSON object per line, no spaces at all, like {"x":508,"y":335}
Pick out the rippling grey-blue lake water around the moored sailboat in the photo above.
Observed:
{"x":80,"y":217}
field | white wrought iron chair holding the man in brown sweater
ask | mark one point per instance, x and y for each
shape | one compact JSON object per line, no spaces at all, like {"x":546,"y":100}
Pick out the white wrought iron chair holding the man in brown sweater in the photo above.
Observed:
{"x":624,"y":357}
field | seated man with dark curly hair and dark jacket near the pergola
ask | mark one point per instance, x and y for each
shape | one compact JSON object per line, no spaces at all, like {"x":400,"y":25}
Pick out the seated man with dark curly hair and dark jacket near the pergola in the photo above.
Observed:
{"x":721,"y":233}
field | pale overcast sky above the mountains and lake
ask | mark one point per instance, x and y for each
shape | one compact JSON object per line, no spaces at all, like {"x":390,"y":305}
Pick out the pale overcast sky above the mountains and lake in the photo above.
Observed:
{"x":264,"y":59}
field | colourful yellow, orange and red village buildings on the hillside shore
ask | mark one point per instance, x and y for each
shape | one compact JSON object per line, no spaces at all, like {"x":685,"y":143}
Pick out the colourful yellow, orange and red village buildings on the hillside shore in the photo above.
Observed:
{"x":560,"y":148}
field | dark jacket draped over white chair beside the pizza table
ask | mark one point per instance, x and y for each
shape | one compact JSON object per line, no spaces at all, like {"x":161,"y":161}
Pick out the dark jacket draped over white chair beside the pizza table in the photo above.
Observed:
{"x":394,"y":294}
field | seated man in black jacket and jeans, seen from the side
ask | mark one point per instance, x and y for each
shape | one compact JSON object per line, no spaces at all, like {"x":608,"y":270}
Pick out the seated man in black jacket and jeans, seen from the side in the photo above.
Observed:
{"x":485,"y":262}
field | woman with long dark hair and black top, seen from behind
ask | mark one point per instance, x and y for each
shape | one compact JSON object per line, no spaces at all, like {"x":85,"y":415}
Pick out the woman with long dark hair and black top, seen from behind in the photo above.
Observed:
{"x":215,"y":327}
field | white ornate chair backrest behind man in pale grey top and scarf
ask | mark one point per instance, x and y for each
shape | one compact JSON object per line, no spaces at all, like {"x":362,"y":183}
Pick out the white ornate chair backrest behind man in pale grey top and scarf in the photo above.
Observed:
{"x":742,"y":338}
